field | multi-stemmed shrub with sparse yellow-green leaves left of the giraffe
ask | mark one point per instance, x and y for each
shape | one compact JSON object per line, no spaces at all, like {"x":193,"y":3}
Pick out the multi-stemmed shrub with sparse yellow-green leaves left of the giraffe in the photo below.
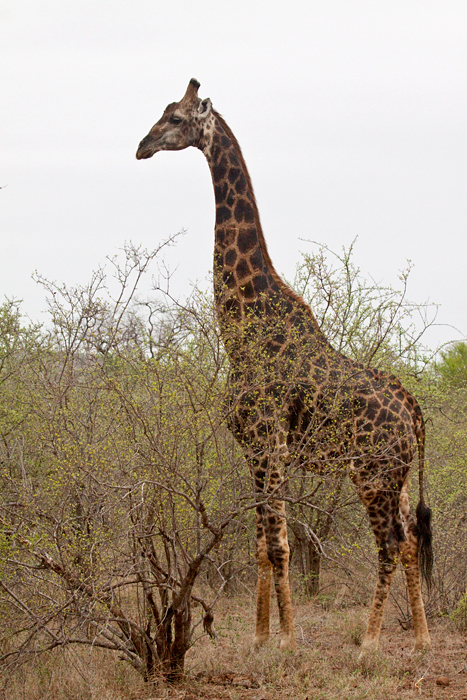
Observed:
{"x":109,"y":515}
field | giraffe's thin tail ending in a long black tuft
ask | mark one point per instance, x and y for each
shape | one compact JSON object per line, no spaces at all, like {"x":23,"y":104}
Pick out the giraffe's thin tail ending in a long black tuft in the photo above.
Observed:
{"x":425,"y":535}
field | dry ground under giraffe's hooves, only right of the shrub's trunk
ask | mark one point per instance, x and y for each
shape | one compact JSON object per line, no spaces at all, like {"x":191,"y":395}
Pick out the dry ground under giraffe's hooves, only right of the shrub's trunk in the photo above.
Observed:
{"x":325,"y":665}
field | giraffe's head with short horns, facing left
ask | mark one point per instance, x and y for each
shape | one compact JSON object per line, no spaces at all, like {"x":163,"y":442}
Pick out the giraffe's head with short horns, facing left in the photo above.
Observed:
{"x":181,"y":125}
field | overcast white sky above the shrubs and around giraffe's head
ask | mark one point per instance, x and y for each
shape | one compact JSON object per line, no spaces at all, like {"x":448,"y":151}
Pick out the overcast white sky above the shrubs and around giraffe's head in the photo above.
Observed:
{"x":351,"y":115}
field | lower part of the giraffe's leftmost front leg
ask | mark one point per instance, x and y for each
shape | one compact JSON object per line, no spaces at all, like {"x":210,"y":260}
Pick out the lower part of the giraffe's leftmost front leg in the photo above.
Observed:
{"x":263,"y":591}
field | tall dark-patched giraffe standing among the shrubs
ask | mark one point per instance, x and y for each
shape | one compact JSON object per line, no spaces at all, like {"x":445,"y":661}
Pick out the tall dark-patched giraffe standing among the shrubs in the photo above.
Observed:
{"x":293,"y":398}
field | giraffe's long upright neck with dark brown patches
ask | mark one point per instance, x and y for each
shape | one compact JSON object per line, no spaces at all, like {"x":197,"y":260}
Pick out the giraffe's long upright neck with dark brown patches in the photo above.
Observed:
{"x":245,"y":281}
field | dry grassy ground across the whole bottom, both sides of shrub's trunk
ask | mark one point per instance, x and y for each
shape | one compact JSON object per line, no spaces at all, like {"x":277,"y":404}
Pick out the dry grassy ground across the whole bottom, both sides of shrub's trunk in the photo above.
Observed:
{"x":324,"y":667}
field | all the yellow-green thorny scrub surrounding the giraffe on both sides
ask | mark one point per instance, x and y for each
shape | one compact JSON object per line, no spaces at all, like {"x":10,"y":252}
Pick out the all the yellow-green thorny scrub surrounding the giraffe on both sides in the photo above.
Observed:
{"x":126,"y":506}
